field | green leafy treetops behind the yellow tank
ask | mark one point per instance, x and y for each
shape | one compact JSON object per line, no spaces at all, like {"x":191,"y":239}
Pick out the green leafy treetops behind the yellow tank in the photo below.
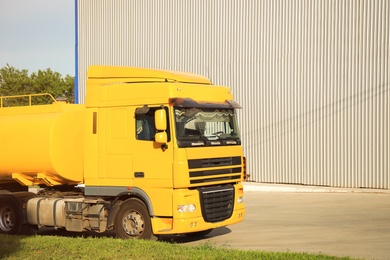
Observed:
{"x":18,"y":82}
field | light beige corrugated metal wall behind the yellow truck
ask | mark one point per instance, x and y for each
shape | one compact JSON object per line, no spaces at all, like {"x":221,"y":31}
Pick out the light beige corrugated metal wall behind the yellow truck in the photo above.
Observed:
{"x":312,"y":75}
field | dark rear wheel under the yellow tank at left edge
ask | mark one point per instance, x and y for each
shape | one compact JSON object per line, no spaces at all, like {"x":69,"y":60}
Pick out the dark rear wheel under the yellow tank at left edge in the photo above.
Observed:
{"x":10,"y":217}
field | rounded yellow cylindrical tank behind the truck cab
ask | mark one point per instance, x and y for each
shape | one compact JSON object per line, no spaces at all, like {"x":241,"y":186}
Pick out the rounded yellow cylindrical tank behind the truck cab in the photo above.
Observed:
{"x":42,"y":144}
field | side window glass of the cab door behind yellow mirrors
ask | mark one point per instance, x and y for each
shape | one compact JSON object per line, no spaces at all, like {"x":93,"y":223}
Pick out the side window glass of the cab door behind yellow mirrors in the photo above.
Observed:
{"x":145,"y":126}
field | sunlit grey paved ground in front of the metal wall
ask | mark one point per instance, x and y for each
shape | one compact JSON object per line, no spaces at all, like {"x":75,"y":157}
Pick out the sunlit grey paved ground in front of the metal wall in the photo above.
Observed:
{"x":333,"y":222}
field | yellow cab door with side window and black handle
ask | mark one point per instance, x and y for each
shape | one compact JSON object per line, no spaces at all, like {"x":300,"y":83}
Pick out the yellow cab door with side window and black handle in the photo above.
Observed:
{"x":152,"y":161}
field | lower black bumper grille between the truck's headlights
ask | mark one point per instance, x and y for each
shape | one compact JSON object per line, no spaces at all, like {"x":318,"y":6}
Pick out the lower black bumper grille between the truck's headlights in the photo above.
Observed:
{"x":217,"y":202}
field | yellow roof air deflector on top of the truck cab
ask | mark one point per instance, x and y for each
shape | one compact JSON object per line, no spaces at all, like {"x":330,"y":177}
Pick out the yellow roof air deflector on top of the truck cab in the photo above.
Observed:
{"x":134,"y":74}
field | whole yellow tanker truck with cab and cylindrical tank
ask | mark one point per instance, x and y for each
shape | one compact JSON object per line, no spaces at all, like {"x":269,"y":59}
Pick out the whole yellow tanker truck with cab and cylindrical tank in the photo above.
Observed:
{"x":151,"y":152}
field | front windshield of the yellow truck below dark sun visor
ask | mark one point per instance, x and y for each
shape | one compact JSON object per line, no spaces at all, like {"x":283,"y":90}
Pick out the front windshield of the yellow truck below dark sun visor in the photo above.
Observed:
{"x":206,"y":126}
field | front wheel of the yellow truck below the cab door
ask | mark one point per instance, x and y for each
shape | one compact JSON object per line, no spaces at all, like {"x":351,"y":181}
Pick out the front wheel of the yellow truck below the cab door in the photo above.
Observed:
{"x":133,"y":220}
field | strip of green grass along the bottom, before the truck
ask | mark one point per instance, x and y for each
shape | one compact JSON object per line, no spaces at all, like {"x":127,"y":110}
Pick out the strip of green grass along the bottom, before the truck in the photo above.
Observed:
{"x":57,"y":247}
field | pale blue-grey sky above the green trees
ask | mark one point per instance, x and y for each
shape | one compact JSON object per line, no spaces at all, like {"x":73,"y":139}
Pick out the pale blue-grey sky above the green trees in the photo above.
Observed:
{"x":38,"y":34}
